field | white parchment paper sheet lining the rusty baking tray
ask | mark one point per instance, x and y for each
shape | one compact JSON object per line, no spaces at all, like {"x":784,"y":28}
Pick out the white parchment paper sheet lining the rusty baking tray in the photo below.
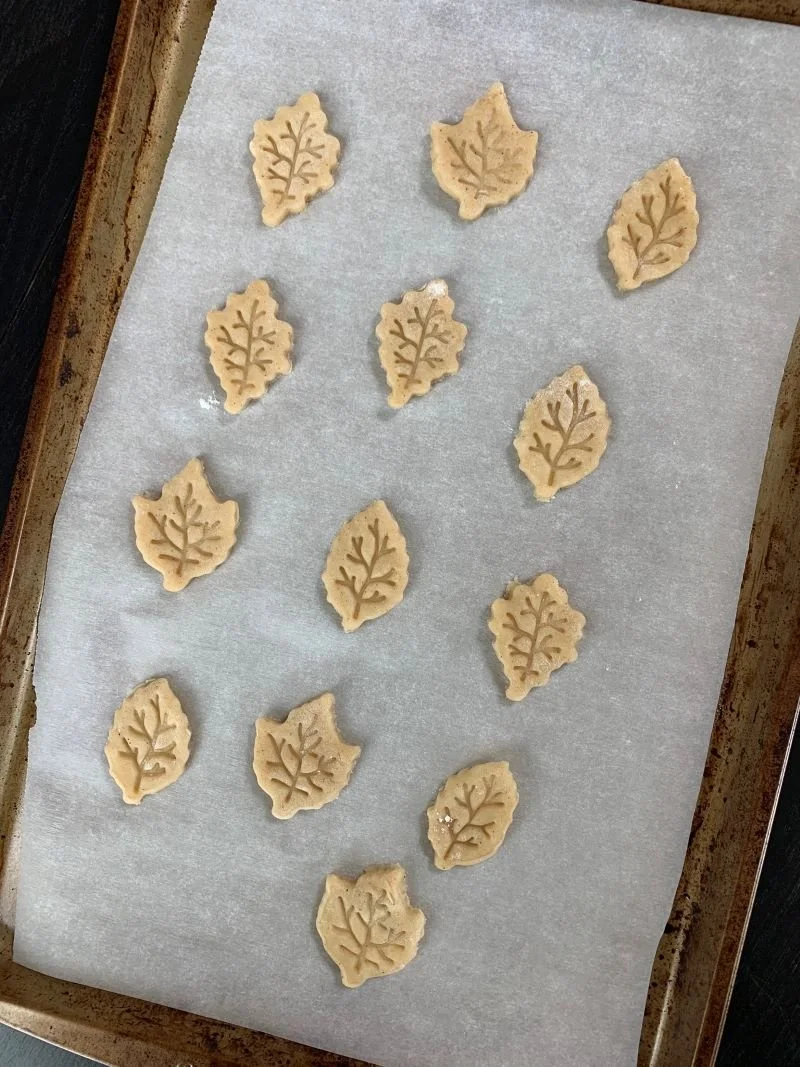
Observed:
{"x":200,"y":899}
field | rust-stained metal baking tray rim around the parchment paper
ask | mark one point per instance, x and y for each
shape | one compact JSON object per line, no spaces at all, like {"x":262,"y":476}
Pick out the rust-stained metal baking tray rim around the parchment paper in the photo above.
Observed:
{"x":154,"y":55}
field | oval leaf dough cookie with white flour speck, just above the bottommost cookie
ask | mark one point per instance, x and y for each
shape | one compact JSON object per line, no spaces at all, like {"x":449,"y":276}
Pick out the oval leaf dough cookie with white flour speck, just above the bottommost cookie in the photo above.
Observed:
{"x":470,"y":818}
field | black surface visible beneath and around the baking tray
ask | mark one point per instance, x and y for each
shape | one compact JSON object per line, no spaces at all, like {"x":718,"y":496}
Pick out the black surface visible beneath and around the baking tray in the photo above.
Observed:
{"x":52,"y":69}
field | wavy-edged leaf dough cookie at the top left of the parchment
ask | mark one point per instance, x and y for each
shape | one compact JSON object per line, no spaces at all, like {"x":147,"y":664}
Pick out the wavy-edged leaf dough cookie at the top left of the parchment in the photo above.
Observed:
{"x":295,"y":158}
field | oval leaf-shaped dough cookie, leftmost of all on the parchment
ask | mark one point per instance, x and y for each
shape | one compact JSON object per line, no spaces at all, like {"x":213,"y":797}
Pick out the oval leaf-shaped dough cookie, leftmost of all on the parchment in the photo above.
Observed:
{"x":149,"y":742}
